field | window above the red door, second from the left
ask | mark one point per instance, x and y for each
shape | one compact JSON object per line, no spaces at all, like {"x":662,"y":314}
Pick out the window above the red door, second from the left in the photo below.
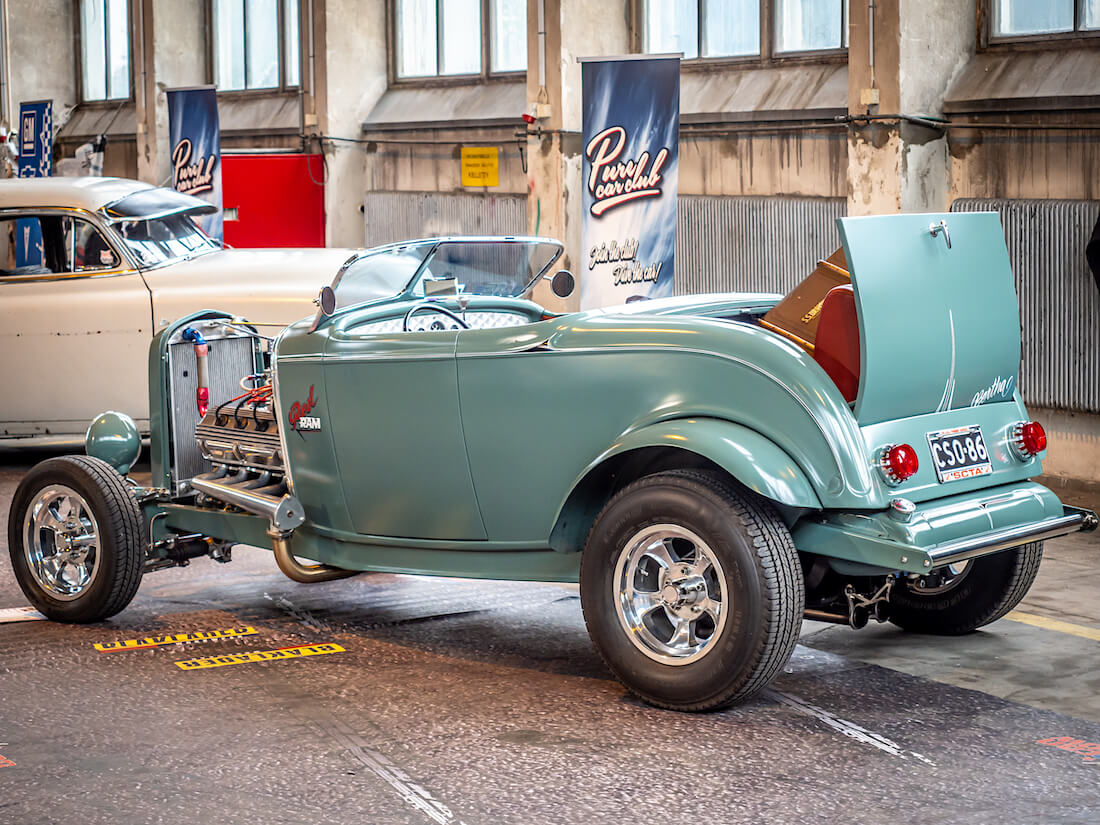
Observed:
{"x":256,"y":45}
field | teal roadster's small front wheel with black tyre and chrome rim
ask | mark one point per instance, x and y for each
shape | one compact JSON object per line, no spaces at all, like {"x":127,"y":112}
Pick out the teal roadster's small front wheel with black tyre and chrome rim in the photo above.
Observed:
{"x":75,"y":540}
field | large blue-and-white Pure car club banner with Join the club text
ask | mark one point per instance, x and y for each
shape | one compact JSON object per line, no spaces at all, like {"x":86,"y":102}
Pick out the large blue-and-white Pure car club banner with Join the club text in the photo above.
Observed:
{"x":631,"y":148}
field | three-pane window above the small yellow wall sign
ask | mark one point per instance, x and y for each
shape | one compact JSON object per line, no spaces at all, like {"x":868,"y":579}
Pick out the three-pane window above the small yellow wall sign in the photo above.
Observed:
{"x":444,"y":38}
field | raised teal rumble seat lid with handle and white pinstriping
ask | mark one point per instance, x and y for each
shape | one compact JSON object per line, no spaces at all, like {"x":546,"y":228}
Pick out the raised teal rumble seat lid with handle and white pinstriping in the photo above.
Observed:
{"x":940,"y":328}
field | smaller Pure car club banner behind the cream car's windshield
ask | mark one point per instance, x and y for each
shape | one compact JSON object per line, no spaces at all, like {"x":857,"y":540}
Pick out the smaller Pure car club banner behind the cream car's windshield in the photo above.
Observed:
{"x":196,"y":149}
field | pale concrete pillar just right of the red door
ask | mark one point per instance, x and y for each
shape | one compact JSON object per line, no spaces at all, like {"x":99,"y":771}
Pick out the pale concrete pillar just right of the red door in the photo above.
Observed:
{"x":350,"y":73}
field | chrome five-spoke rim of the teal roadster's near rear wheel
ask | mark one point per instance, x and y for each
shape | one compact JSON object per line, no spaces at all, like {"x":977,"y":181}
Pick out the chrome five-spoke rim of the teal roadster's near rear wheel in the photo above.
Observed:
{"x":669,"y":595}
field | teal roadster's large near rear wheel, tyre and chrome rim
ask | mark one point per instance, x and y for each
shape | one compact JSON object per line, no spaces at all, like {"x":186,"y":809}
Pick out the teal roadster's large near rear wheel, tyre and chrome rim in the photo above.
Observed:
{"x":691,"y":590}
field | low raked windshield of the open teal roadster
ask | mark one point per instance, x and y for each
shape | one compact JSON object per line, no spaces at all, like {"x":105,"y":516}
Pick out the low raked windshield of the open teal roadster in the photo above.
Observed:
{"x":475,"y":267}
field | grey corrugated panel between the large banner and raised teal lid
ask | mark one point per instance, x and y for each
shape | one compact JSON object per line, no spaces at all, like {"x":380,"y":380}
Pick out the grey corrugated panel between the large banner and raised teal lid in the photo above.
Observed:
{"x":752,"y":245}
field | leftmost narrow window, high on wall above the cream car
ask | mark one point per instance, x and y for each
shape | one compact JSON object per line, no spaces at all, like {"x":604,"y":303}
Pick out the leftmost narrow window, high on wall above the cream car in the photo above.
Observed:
{"x":105,"y":50}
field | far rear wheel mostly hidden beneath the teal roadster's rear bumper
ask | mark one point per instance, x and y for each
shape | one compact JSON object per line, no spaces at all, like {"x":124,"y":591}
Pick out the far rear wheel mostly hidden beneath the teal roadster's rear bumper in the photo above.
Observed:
{"x":976,"y":595}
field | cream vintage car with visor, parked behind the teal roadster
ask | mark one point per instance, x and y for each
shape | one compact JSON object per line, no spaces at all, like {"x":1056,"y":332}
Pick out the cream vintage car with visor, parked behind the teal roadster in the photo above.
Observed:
{"x":92,"y":268}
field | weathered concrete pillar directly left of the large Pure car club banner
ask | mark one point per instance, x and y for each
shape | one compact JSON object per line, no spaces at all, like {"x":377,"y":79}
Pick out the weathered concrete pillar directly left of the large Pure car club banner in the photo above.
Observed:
{"x":574,"y":29}
